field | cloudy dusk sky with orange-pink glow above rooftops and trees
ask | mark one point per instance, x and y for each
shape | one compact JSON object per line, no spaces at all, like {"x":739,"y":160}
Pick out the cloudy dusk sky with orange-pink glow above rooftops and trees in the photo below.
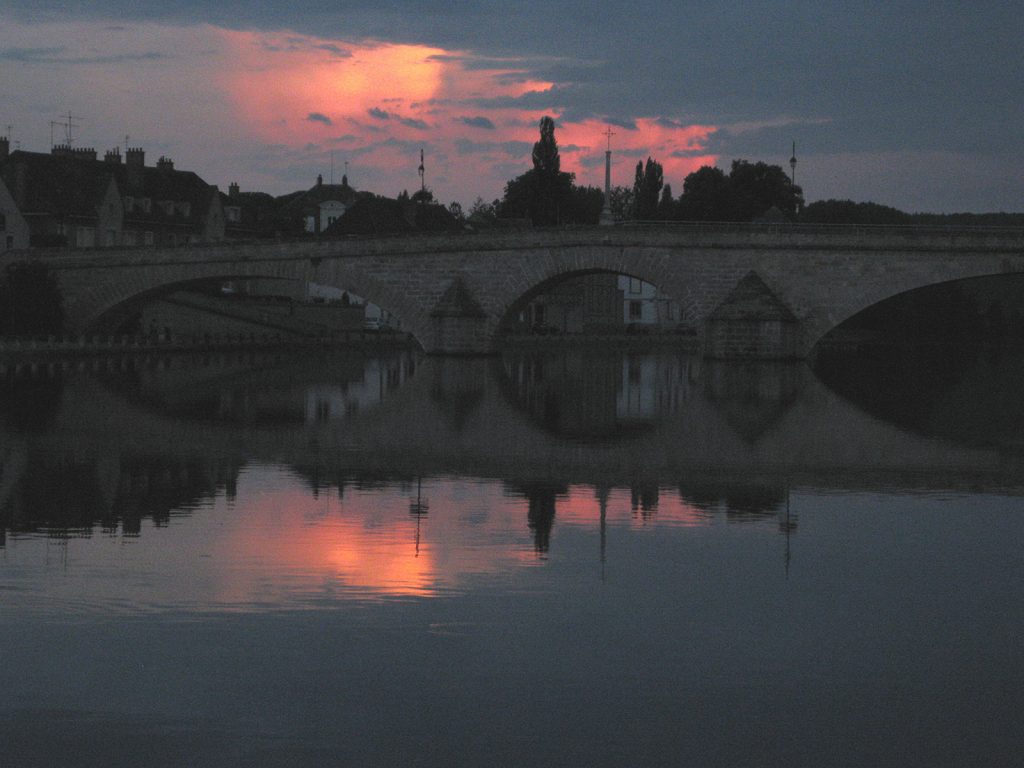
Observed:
{"x":914,"y":105}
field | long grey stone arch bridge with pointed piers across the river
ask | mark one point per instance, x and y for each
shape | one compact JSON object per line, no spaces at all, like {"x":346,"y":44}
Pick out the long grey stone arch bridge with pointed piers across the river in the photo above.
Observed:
{"x":455,"y":293}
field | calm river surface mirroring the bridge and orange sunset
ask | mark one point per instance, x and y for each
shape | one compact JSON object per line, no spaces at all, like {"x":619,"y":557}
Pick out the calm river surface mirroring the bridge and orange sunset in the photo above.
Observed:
{"x":564,"y":560}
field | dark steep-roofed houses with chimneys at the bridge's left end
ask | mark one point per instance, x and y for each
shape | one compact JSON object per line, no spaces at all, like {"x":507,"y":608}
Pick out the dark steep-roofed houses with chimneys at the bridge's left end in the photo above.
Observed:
{"x":71,"y":198}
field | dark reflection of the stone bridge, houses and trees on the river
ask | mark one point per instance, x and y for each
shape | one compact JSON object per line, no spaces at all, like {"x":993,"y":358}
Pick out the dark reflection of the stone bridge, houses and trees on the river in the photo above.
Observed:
{"x":686,"y":439}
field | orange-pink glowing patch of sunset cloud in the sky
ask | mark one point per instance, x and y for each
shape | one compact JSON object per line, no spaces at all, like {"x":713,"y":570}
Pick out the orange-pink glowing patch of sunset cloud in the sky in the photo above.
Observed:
{"x":374,"y":106}
